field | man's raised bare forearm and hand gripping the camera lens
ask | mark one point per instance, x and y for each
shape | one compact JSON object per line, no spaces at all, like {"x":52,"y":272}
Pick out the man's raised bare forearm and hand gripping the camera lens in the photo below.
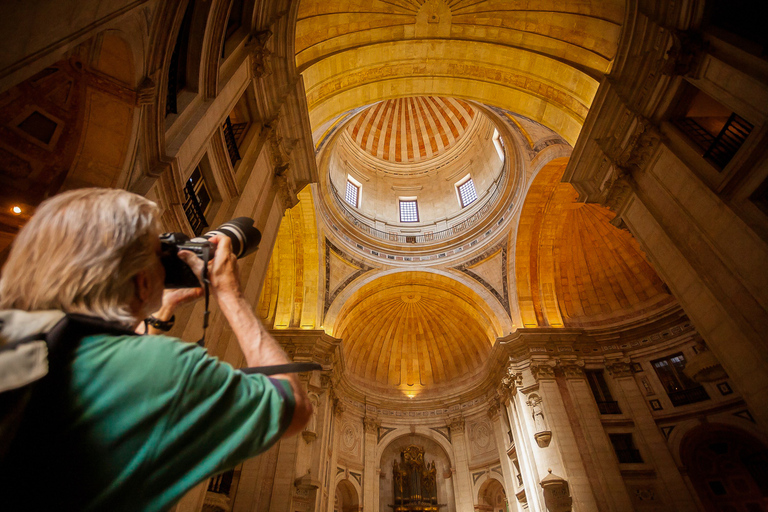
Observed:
{"x":258,"y":346}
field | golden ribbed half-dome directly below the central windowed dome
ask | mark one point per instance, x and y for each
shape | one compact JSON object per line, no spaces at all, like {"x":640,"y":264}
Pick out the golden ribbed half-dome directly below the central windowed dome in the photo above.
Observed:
{"x":409,"y":331}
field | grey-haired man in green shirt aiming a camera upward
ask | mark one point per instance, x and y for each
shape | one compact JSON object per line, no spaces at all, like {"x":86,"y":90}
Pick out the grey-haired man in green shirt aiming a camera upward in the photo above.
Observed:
{"x":127,"y":422}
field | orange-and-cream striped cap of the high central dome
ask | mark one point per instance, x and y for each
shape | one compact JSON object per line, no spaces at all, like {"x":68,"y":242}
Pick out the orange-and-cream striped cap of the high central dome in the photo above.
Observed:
{"x":412,"y":129}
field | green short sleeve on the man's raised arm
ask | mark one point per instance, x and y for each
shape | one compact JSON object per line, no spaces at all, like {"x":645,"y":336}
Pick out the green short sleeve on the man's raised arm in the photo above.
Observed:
{"x":220,"y":418}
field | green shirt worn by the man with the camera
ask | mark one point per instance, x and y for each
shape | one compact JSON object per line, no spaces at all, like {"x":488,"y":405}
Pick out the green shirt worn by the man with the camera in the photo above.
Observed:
{"x":134,"y":422}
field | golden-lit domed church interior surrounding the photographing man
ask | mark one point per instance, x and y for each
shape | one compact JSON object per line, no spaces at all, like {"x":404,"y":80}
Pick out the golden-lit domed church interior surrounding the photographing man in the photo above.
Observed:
{"x":526,"y":241}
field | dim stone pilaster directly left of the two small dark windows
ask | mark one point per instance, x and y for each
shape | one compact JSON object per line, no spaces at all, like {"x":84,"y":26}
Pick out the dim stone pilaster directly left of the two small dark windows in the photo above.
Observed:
{"x":607,"y":482}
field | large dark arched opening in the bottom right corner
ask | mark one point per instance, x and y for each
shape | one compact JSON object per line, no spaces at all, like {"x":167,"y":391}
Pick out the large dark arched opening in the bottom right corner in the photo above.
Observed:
{"x":727,"y":467}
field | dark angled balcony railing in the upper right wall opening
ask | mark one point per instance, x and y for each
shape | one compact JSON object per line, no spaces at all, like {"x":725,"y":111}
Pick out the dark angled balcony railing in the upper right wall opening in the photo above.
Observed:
{"x":721,"y":149}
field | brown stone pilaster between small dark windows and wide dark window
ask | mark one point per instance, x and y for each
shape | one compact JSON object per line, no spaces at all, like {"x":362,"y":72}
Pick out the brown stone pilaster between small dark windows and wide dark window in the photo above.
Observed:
{"x":649,"y":436}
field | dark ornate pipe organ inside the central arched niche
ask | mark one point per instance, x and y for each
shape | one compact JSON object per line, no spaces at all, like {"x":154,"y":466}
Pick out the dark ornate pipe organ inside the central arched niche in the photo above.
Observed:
{"x":415,"y":482}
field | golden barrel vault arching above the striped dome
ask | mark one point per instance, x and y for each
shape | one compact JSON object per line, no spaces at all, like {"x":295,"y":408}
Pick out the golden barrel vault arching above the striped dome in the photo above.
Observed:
{"x":540,"y":59}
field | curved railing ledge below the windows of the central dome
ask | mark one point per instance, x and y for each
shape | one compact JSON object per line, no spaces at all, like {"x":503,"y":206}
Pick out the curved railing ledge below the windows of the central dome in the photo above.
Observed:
{"x":360,"y":223}
